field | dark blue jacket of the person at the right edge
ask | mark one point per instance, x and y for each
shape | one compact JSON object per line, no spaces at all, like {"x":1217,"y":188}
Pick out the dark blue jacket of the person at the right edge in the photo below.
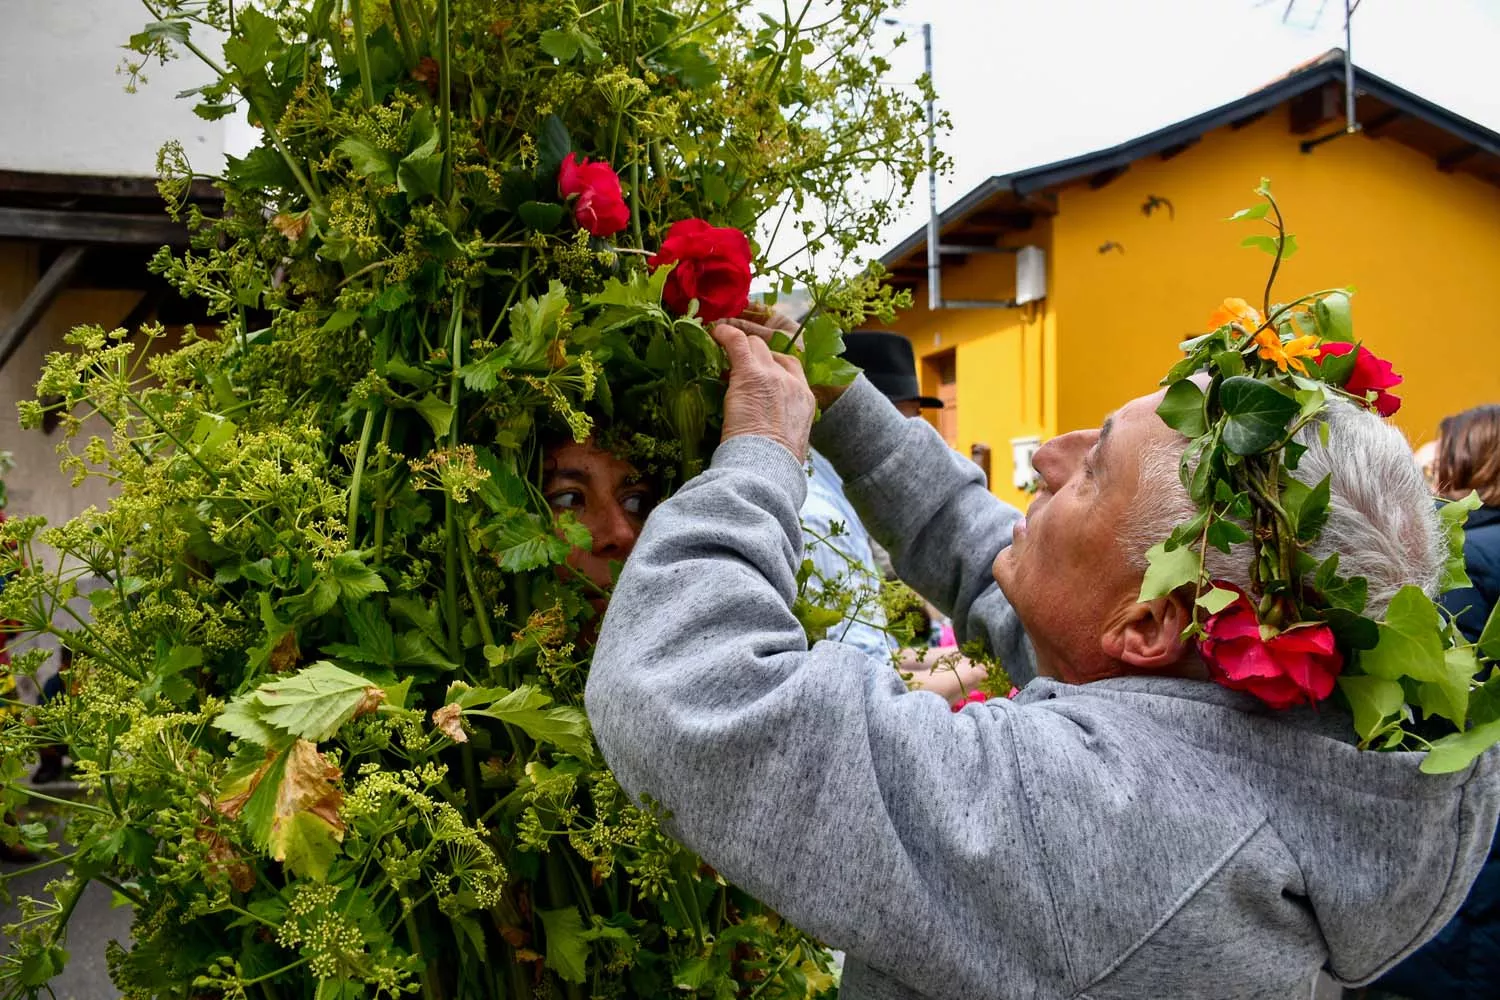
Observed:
{"x":1465,"y":959}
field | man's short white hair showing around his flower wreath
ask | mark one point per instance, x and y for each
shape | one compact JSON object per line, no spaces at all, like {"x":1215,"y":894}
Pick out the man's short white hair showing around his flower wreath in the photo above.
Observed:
{"x":1382,"y":518}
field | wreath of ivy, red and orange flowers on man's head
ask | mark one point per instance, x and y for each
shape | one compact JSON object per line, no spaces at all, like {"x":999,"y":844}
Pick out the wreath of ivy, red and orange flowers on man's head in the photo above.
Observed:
{"x":1301,"y":633}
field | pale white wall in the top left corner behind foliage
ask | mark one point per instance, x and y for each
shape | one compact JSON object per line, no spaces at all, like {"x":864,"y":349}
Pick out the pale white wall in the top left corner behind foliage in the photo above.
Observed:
{"x":64,"y":109}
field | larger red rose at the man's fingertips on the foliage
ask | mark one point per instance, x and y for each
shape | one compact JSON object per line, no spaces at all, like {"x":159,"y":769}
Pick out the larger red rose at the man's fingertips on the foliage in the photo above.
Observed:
{"x":713,"y":266}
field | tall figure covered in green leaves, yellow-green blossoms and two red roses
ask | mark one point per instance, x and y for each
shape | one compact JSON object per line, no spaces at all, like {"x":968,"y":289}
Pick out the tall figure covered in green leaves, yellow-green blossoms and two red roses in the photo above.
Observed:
{"x":328,"y":699}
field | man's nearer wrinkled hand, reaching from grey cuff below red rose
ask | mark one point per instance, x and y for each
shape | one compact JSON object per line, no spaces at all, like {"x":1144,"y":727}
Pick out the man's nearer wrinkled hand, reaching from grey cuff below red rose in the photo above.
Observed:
{"x":769,"y":395}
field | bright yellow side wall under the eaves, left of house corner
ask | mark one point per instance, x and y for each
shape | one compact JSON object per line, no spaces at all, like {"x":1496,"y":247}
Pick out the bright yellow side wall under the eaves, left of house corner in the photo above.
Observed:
{"x":1004,"y":358}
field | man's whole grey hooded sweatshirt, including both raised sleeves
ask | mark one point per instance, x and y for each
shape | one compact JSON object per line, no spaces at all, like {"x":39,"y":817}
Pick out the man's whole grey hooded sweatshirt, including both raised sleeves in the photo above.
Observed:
{"x":1135,"y":837}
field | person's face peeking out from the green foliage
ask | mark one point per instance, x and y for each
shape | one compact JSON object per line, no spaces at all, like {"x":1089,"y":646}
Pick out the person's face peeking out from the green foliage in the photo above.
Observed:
{"x":607,"y":496}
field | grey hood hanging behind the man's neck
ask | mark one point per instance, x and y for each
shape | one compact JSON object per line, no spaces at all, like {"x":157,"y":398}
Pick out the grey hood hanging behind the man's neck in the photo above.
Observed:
{"x":1387,"y":854}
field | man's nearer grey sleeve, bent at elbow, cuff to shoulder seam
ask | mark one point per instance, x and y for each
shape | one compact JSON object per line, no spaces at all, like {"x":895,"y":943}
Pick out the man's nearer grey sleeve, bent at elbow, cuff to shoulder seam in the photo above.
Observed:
{"x":875,"y":819}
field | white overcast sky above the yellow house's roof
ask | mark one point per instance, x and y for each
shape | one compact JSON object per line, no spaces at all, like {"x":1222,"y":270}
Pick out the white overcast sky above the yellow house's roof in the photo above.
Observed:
{"x":1031,"y":82}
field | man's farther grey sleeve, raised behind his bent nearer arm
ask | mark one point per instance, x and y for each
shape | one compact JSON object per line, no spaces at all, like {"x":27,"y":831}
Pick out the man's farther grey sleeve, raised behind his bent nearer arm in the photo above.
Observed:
{"x":932,"y":510}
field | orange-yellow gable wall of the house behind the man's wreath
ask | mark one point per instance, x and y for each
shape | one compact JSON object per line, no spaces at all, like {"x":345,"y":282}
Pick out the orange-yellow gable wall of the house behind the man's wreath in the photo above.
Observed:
{"x":1421,"y":248}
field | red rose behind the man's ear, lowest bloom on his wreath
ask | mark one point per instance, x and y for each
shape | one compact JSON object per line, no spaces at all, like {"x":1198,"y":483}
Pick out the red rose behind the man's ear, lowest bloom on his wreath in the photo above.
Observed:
{"x":1291,"y":668}
